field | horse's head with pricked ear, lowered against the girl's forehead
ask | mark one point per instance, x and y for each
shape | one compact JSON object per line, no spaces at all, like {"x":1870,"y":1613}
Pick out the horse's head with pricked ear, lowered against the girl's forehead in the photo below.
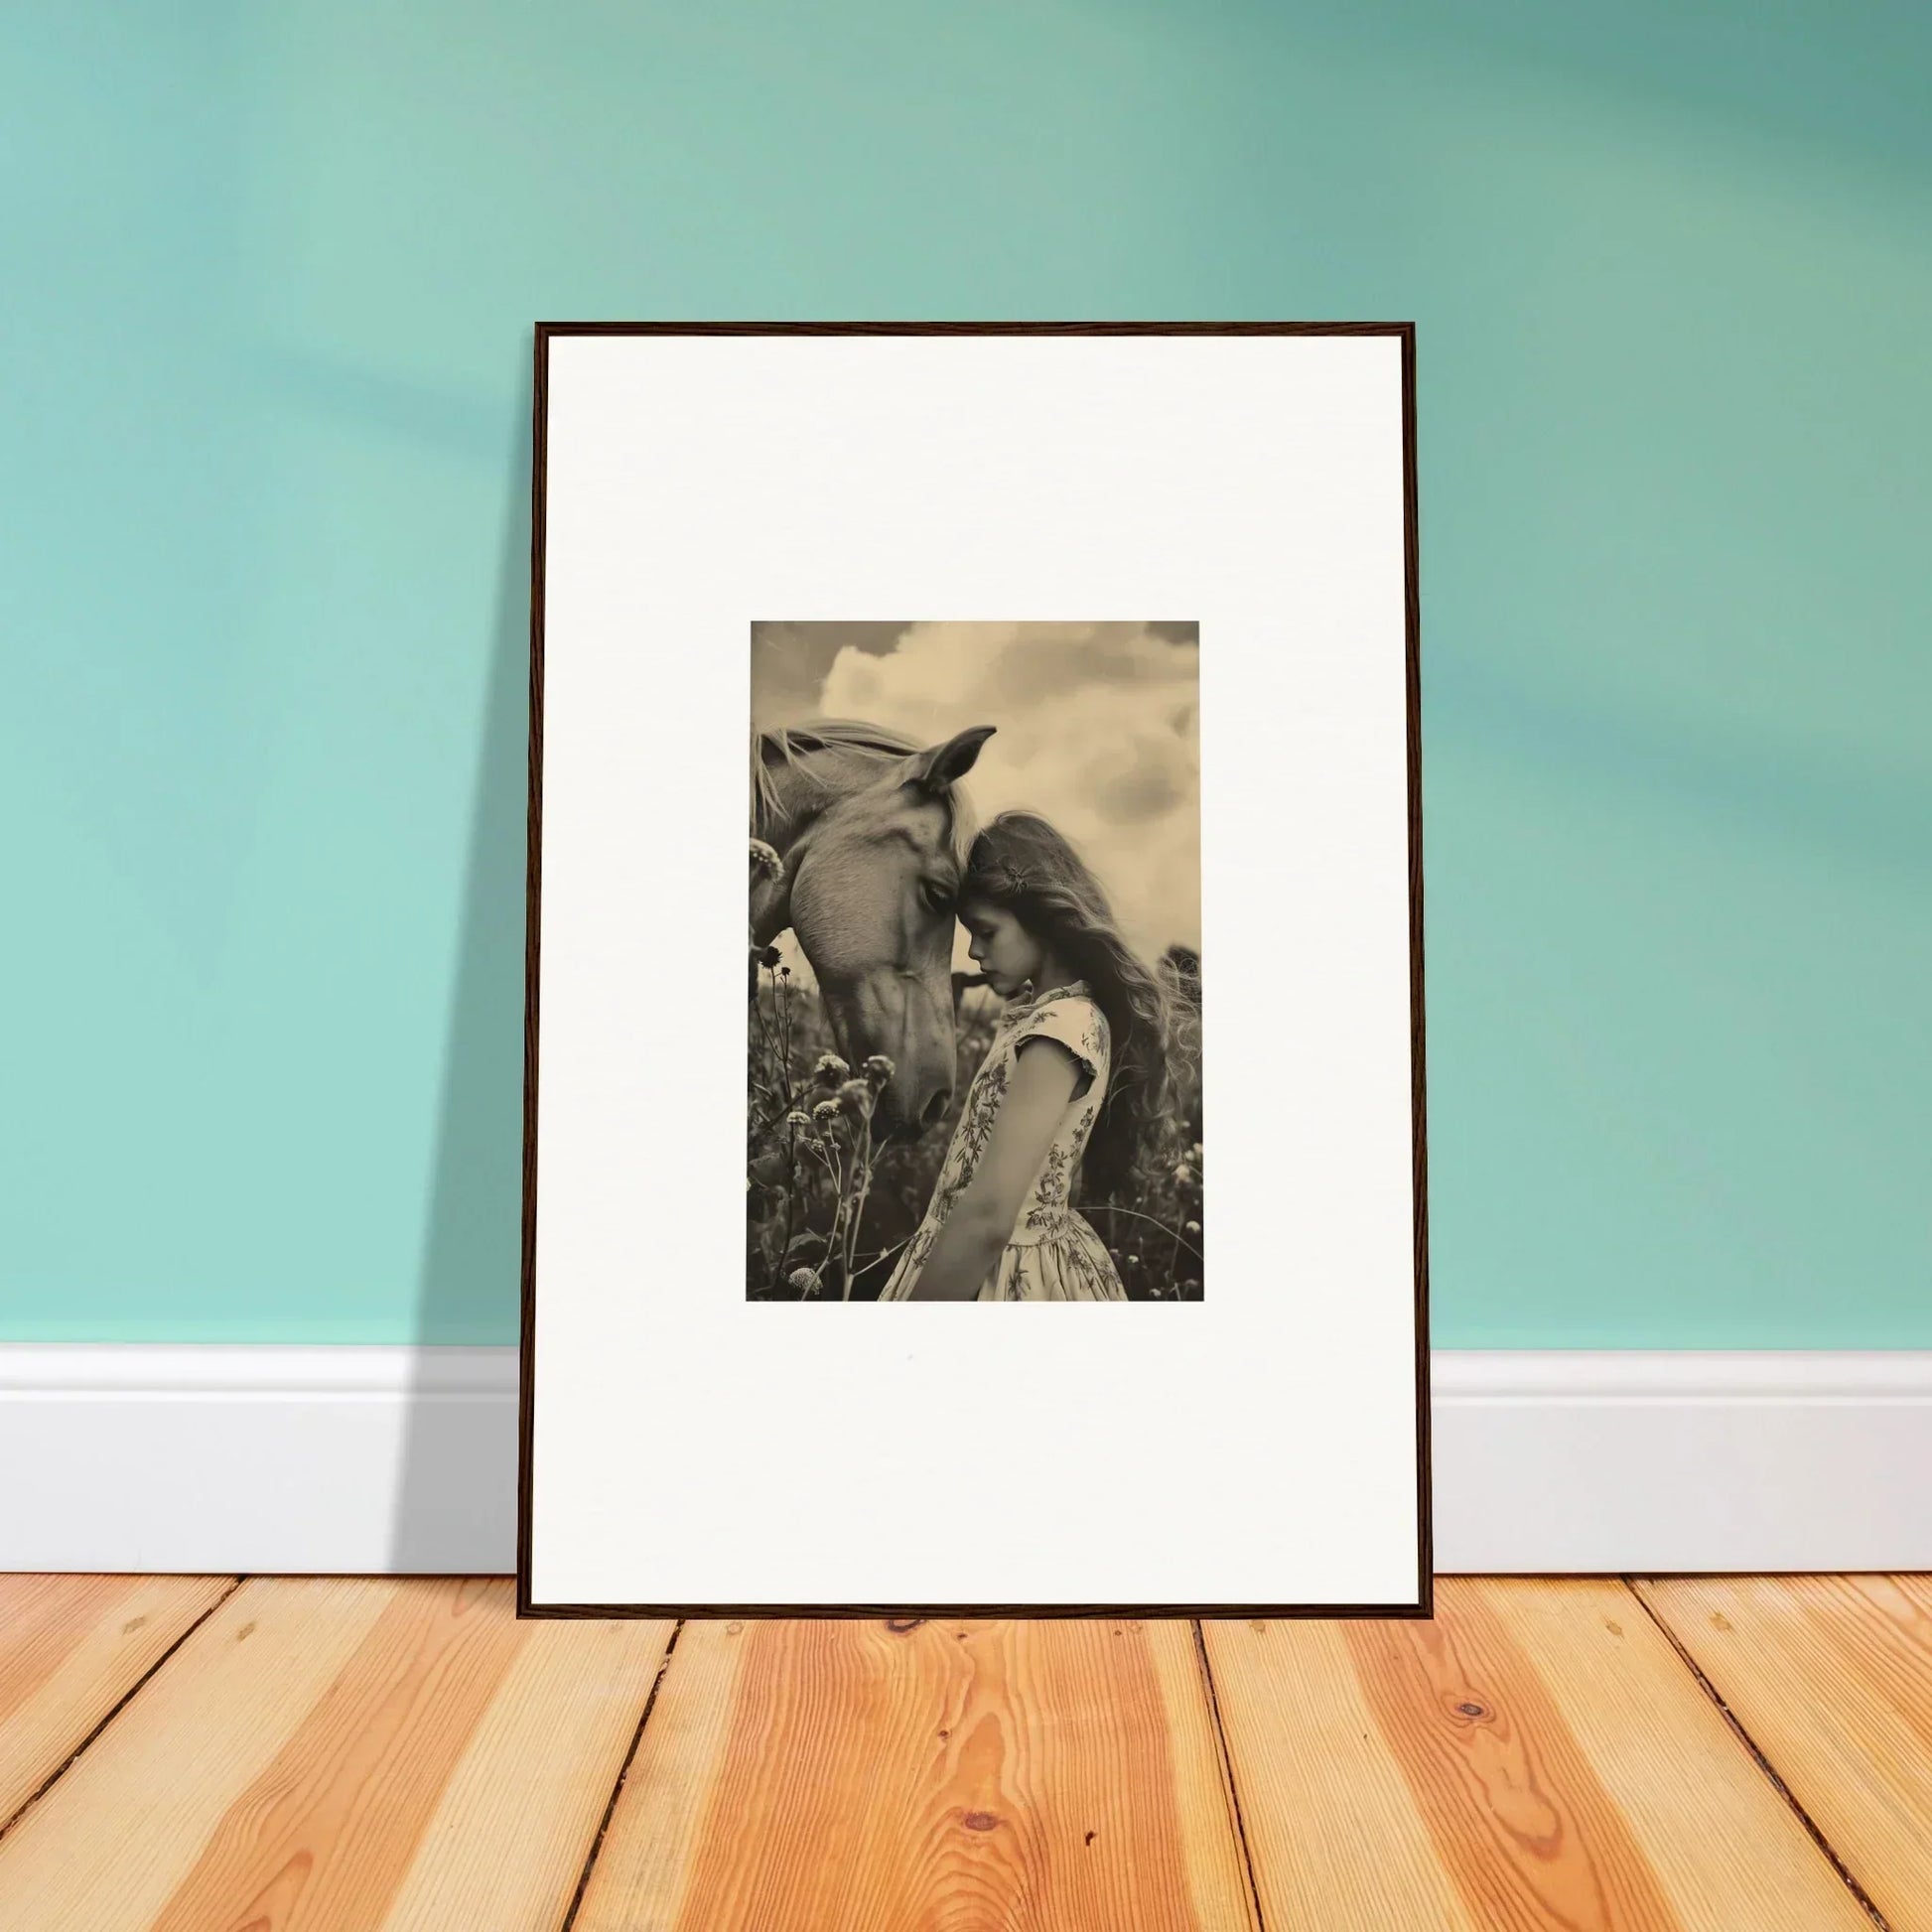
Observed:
{"x":872,"y":890}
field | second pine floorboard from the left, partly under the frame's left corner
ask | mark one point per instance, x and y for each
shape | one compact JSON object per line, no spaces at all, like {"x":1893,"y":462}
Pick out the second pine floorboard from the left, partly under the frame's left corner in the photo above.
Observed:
{"x":343,"y":1755}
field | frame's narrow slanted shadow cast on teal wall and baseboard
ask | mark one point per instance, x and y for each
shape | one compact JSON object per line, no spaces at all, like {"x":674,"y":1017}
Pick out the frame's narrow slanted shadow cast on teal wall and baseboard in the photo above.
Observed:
{"x":455,"y":1438}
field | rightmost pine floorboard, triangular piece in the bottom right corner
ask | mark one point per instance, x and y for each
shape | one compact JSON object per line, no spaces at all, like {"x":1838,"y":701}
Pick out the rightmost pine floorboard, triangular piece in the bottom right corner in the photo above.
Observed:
{"x":1833,"y":1680}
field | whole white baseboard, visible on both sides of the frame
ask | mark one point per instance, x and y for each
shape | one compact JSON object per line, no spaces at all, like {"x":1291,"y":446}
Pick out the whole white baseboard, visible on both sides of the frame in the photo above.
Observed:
{"x":368,"y":1460}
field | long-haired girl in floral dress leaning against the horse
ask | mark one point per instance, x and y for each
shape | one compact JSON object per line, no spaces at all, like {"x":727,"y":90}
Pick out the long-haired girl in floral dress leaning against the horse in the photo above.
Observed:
{"x":1077,"y":1067}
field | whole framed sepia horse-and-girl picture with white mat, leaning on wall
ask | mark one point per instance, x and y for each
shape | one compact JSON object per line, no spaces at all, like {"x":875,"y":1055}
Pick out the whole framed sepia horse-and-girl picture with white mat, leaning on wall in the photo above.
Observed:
{"x":975,"y":859}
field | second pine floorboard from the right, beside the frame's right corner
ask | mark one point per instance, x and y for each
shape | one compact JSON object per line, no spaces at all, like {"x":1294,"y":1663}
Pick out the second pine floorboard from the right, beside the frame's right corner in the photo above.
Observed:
{"x":1535,"y":1759}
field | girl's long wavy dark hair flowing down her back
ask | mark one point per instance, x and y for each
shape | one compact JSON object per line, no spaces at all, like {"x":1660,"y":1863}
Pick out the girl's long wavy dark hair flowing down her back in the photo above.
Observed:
{"x":1029,"y":868}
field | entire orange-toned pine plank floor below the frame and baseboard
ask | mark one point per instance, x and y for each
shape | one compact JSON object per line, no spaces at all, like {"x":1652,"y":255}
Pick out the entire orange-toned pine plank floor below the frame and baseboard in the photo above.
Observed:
{"x":347,"y":1755}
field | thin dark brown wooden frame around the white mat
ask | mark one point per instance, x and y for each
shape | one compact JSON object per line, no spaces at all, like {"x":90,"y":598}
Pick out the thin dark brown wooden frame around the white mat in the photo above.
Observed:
{"x":1423,"y":1608}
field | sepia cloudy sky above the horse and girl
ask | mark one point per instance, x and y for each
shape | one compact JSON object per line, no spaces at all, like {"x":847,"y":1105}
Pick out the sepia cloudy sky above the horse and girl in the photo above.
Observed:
{"x":1098,"y":729}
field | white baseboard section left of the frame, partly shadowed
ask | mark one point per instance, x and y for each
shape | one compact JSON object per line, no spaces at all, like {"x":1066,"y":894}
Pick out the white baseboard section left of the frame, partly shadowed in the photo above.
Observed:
{"x":273,"y":1462}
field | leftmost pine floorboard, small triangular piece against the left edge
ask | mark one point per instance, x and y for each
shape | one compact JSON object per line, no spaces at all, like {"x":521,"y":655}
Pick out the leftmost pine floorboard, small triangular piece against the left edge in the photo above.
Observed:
{"x":71,"y":1651}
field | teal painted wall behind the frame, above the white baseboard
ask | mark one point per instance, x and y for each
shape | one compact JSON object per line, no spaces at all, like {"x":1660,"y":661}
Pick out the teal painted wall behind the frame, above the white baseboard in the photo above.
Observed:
{"x":268,"y":298}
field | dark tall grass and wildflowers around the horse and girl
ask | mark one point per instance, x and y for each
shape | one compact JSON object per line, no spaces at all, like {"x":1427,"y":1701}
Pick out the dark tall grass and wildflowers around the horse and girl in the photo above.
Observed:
{"x":830,"y":1207}
